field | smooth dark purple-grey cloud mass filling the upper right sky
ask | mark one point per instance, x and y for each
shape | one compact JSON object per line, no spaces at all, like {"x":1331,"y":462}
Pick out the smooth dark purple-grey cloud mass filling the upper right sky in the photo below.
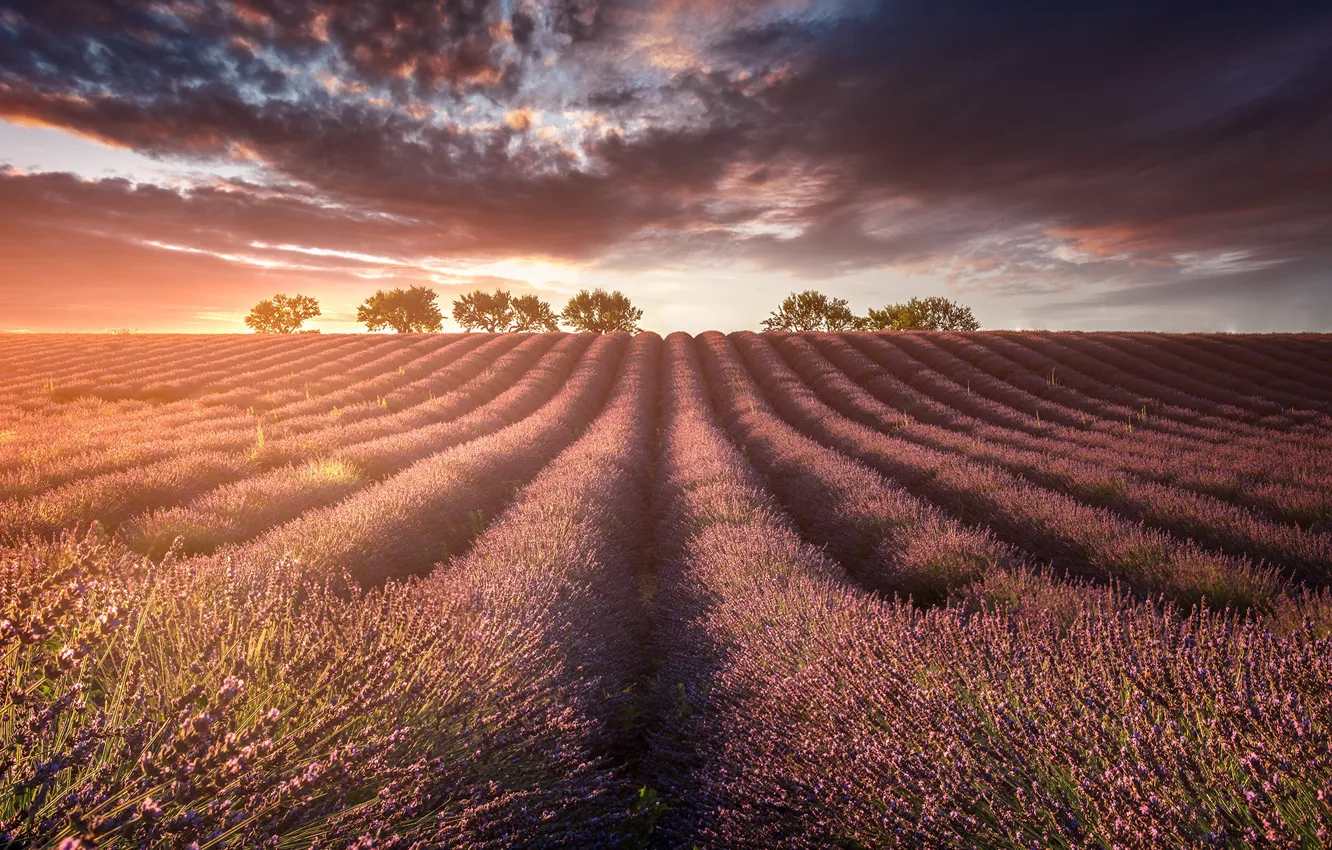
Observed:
{"x":1130,"y":125}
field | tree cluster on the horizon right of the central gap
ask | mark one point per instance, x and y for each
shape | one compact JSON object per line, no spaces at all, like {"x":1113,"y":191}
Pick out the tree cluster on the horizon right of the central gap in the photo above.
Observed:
{"x":815,"y":311}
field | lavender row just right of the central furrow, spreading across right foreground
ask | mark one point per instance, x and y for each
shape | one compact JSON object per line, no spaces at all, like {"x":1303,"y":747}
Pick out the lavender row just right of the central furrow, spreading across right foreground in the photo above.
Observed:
{"x":795,"y":711}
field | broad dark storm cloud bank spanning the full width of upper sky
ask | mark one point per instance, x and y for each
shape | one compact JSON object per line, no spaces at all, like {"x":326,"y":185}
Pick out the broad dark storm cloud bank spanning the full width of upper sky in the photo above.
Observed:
{"x":976,"y":139}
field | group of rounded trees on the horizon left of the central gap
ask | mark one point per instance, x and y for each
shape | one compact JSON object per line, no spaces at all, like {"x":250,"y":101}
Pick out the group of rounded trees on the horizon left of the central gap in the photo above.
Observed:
{"x":415,"y":311}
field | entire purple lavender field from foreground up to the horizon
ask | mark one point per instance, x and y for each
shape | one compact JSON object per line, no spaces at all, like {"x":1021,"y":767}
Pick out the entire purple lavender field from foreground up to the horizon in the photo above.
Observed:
{"x":1012,"y":591}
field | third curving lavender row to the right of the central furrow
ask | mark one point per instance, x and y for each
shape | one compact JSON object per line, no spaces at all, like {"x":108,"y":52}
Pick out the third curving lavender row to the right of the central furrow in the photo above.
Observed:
{"x":1072,"y":538}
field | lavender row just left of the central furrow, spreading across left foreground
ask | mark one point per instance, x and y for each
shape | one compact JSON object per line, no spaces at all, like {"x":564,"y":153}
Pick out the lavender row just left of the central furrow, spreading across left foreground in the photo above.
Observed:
{"x":468,"y":709}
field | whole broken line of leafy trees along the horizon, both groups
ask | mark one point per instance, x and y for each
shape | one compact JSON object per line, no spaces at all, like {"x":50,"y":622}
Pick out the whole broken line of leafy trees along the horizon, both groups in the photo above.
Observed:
{"x":415,"y":311}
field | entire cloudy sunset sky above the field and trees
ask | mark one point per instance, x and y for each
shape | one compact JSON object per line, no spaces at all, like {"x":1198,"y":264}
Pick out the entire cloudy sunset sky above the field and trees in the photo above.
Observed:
{"x":1104,"y":165}
